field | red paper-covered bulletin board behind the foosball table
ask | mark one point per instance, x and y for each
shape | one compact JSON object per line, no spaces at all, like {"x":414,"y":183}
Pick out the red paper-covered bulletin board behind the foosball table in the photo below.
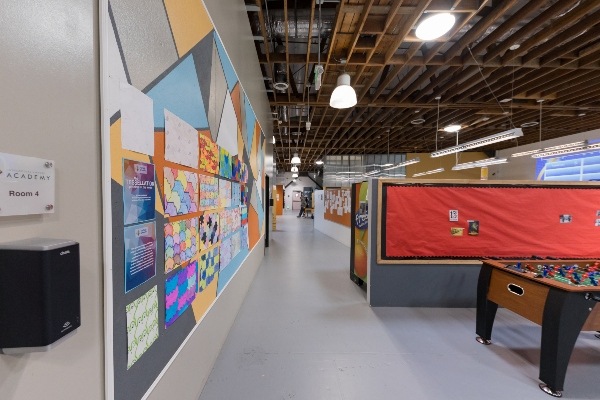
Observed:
{"x":513,"y":221}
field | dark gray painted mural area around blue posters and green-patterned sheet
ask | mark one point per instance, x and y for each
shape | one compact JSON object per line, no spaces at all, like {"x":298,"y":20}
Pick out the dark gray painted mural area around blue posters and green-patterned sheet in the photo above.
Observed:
{"x":133,"y":383}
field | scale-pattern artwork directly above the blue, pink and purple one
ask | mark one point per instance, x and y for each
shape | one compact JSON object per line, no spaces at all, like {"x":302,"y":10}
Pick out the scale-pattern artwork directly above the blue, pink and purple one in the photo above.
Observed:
{"x":181,"y":242}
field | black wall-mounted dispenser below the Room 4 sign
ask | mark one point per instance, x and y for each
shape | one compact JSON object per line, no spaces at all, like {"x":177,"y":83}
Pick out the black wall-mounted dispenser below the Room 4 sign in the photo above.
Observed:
{"x":39,"y":293}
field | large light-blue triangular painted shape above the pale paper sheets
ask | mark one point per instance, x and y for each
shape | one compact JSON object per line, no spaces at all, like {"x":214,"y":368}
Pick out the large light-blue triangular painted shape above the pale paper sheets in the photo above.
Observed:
{"x":179,"y":92}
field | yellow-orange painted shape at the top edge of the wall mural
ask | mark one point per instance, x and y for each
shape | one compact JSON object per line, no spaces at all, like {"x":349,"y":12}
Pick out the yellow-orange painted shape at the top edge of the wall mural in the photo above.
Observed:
{"x":189,"y":23}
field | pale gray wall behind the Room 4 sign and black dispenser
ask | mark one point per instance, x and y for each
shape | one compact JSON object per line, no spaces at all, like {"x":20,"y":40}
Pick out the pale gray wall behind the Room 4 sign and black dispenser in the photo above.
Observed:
{"x":49,"y":75}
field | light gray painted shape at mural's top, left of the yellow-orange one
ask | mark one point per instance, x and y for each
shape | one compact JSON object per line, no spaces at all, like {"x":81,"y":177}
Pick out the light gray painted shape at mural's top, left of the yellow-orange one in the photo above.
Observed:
{"x":136,"y":21}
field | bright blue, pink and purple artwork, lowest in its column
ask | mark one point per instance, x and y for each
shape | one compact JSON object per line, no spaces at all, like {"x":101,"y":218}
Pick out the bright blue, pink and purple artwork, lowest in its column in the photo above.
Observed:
{"x":180,"y":291}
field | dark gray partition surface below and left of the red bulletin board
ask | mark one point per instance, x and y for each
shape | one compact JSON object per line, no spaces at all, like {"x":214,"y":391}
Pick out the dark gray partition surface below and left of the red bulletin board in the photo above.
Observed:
{"x":417,"y":285}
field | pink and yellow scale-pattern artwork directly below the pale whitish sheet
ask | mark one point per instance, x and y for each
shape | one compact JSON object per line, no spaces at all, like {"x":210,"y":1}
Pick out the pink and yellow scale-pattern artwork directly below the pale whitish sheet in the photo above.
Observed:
{"x":181,"y":192}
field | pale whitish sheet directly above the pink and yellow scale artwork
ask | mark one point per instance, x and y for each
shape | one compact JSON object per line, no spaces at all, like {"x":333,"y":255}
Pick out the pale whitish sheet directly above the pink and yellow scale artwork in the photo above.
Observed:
{"x":181,"y":141}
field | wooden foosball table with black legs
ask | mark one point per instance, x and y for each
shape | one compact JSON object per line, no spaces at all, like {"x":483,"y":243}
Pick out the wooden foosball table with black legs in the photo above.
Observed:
{"x":559,"y":295}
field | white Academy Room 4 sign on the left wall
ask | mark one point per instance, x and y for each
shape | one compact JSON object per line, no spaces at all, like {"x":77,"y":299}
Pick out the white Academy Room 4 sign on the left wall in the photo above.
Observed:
{"x":26,"y":185}
